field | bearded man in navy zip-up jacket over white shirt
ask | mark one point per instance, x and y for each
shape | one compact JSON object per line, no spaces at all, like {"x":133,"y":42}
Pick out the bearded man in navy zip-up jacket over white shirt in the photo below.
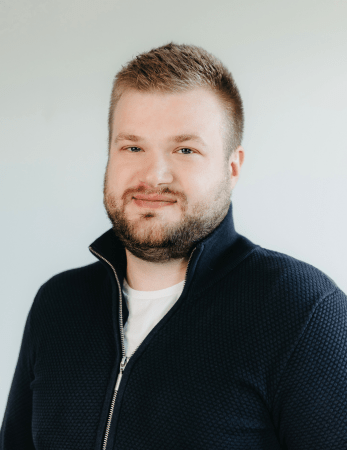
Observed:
{"x":184,"y":334}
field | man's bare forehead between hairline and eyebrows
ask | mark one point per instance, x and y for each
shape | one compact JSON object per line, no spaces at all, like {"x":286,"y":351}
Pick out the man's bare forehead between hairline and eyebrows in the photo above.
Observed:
{"x":195,"y":116}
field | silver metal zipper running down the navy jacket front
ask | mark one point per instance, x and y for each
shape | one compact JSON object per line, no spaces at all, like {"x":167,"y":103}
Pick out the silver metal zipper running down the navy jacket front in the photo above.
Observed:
{"x":125,"y":359}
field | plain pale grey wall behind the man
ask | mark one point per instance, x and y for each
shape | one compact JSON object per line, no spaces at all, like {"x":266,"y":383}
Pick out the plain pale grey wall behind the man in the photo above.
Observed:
{"x":58,"y":60}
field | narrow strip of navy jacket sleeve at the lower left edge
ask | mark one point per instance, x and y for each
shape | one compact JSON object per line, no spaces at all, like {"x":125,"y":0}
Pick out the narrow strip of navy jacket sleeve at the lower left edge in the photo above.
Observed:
{"x":16,"y":427}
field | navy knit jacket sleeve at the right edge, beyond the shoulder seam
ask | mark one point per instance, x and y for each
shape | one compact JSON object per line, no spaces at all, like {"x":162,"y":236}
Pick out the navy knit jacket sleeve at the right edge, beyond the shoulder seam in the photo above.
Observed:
{"x":311,"y":401}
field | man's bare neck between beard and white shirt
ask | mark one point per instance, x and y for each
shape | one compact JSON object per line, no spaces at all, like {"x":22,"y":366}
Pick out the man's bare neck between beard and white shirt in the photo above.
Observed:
{"x":149,"y":276}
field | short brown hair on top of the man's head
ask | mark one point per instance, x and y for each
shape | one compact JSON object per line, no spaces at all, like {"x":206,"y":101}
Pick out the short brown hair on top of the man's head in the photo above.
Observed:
{"x":177,"y":68}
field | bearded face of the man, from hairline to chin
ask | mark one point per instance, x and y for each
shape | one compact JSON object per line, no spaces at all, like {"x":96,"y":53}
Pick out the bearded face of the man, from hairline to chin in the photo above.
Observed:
{"x":167,"y":183}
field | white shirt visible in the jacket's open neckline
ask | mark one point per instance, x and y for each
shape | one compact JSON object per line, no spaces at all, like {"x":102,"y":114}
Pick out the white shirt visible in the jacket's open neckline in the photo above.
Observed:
{"x":146,"y":309}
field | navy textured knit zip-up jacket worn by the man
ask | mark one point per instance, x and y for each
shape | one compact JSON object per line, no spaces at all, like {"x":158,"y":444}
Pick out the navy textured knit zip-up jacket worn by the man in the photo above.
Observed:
{"x":253,"y":355}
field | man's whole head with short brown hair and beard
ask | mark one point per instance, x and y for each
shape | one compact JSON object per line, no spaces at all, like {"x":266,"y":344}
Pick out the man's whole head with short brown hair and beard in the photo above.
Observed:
{"x":168,"y":142}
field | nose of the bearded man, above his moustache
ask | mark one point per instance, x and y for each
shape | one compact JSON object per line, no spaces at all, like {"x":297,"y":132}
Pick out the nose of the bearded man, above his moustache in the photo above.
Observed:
{"x":157,"y":171}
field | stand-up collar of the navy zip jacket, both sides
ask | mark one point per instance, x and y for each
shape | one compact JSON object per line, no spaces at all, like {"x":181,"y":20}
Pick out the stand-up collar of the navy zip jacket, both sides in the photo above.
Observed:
{"x":213,"y":257}
